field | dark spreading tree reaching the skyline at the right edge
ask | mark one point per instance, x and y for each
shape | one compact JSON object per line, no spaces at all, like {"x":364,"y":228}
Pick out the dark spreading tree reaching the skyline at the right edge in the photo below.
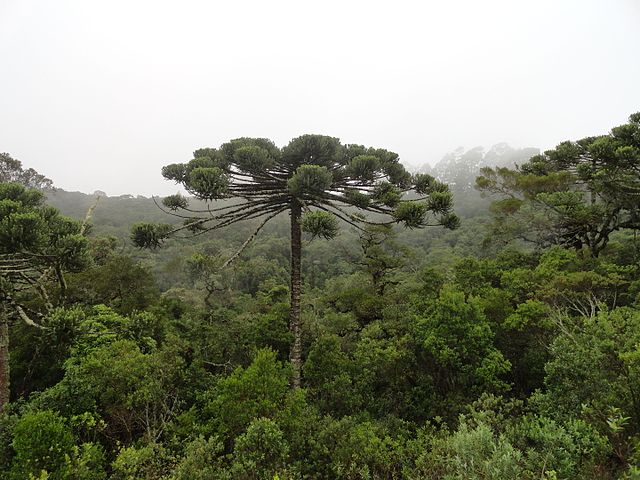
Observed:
{"x":575,"y":195}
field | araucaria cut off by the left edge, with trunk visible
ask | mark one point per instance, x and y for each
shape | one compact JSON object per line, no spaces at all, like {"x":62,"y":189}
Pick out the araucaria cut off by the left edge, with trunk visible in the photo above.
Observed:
{"x":37,"y":245}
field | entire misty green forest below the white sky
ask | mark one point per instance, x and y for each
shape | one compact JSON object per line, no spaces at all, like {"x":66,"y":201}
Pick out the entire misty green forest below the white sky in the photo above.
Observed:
{"x":505,"y":348}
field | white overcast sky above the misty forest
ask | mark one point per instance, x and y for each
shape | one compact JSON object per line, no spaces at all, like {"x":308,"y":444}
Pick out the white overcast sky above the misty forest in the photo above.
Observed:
{"x":102,"y":94}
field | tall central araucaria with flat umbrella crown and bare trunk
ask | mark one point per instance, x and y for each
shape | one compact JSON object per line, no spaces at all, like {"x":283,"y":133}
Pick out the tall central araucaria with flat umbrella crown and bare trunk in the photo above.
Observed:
{"x":318,"y":180}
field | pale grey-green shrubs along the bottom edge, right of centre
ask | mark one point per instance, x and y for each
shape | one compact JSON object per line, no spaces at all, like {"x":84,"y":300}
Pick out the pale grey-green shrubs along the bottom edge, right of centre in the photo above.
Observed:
{"x":488,"y":445}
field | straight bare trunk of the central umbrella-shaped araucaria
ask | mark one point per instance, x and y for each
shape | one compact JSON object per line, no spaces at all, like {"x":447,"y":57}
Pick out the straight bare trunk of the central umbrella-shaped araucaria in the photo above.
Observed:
{"x":294,"y":316}
